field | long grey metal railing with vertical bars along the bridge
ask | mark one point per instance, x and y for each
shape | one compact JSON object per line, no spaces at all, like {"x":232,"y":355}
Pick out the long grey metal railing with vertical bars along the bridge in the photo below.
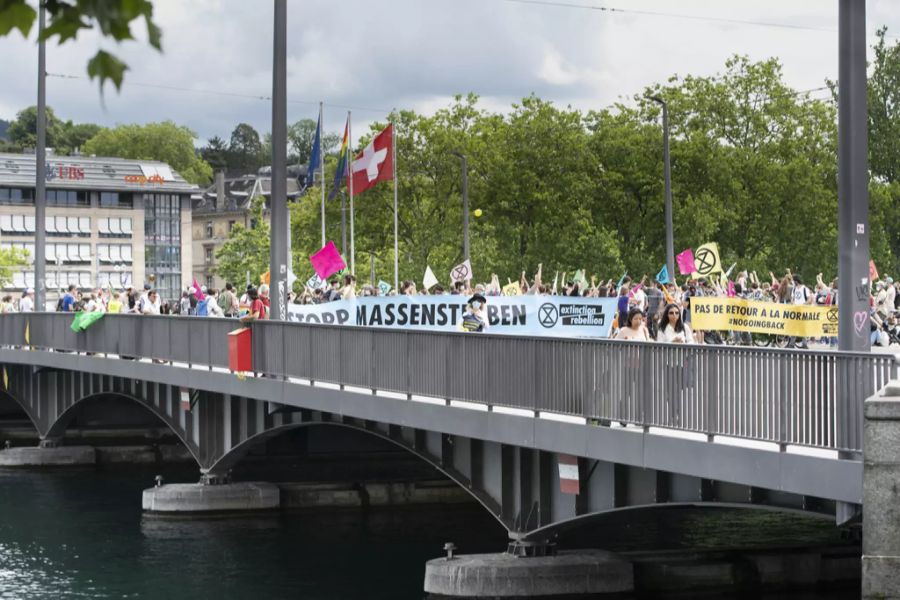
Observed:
{"x":790,"y":397}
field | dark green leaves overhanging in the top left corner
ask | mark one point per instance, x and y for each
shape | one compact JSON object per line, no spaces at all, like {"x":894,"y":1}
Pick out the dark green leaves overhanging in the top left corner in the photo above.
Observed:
{"x":112,"y":18}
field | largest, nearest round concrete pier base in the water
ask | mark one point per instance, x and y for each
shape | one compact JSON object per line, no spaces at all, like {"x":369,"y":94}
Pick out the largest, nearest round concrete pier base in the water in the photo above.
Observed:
{"x":505,"y":576}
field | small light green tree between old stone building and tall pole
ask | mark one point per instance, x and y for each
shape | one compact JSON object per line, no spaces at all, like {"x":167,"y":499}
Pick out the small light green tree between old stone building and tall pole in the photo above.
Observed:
{"x":246,"y":249}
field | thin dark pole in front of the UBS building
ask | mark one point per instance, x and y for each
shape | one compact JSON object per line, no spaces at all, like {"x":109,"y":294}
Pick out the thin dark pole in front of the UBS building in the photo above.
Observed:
{"x":40,"y":181}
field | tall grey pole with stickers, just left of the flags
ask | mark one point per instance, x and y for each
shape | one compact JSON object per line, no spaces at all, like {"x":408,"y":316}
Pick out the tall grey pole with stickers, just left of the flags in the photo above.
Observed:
{"x":279,"y":254}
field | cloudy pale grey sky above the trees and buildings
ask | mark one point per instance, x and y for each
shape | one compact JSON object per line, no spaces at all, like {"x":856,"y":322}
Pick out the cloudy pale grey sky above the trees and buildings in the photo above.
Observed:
{"x":371,"y":56}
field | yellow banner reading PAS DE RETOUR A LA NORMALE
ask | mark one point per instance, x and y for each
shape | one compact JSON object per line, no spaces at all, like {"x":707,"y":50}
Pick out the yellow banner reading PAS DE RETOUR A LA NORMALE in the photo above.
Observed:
{"x":735,"y":314}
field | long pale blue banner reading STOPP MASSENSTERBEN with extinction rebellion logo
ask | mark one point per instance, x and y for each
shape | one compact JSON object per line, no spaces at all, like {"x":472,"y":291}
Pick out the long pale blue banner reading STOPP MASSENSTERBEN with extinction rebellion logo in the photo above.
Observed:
{"x":552,"y":316}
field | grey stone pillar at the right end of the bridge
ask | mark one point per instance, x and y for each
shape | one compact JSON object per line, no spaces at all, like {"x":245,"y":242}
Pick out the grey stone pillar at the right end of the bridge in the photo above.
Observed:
{"x":881,"y":496}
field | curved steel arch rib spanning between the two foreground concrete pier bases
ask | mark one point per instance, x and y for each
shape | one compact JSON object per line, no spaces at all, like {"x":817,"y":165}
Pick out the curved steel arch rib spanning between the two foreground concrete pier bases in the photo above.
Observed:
{"x":239,"y":451}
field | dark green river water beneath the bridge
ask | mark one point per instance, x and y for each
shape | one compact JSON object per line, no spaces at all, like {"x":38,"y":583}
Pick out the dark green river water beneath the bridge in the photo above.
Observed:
{"x":80,"y":534}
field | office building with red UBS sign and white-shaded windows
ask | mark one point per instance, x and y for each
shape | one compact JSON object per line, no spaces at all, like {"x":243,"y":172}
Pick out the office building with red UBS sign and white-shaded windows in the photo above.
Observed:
{"x":109,"y":222}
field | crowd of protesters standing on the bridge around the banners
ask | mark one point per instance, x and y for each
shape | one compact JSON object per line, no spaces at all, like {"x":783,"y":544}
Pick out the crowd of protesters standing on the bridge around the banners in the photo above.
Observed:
{"x":646,"y":309}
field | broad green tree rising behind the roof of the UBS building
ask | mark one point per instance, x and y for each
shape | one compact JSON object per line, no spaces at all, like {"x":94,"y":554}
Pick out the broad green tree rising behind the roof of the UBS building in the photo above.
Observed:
{"x":166,"y":142}
